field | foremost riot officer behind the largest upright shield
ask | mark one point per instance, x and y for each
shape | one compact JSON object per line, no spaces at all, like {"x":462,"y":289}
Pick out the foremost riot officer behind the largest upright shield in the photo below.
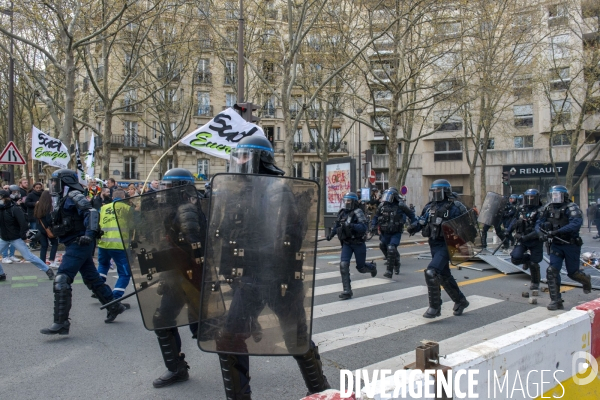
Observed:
{"x":254,"y":155}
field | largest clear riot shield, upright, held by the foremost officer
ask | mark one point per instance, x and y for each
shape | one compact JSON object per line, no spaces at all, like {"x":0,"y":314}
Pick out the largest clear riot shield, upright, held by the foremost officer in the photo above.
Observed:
{"x":258,"y":276}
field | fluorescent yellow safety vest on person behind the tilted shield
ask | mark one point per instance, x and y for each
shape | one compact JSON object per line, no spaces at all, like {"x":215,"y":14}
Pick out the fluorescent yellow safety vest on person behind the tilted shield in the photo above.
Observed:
{"x":108,"y":223}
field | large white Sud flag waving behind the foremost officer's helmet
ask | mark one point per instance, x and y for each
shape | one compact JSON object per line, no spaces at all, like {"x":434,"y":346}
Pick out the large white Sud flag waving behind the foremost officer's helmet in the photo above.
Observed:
{"x":221,"y":134}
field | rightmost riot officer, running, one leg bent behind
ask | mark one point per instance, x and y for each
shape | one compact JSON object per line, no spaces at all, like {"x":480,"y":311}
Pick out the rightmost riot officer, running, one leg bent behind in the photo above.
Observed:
{"x":559,"y":225}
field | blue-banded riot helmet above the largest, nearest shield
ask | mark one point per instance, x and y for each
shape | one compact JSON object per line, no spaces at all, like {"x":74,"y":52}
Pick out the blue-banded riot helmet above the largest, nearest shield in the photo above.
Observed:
{"x":254,"y":155}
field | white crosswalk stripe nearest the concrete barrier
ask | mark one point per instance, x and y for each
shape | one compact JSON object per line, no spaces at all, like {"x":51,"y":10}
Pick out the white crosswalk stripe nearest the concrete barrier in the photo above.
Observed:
{"x":472,"y":337}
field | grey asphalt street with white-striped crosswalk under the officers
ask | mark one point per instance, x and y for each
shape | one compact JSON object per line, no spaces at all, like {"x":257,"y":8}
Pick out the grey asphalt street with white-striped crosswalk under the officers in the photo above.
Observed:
{"x":378,"y":328}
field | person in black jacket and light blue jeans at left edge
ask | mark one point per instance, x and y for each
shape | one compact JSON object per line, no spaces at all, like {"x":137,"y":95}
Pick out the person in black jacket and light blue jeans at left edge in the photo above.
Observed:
{"x":13,"y":230}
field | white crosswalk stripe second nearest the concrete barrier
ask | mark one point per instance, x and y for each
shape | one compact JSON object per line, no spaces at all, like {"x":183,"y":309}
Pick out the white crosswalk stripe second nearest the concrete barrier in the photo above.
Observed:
{"x":354,"y":334}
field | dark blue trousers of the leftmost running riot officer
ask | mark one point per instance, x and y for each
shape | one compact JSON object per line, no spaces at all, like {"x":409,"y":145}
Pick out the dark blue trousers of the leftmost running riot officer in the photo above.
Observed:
{"x":78,"y":258}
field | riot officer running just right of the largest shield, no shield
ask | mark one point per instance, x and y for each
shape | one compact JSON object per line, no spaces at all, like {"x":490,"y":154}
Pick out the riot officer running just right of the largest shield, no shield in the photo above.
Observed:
{"x":351,"y":226}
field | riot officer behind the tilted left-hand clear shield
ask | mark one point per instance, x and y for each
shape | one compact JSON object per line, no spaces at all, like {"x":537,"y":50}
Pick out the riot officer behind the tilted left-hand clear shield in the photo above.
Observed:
{"x":189,"y":223}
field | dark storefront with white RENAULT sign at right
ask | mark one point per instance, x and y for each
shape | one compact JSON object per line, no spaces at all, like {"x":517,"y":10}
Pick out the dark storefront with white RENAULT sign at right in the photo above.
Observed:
{"x":543,"y":177}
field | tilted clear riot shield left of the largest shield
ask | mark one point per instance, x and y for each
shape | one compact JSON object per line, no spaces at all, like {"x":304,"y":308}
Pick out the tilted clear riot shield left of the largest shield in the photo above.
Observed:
{"x":165,"y":231}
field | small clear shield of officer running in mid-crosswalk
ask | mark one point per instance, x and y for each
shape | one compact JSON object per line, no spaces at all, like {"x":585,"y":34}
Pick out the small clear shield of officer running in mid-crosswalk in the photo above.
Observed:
{"x":462,"y":237}
